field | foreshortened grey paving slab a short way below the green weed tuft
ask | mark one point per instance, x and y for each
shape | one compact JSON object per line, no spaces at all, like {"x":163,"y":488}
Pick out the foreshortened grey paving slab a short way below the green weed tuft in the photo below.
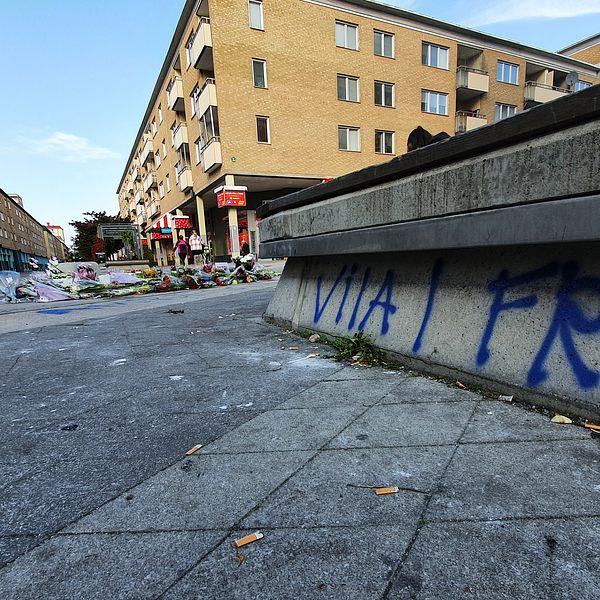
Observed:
{"x":363,"y":392}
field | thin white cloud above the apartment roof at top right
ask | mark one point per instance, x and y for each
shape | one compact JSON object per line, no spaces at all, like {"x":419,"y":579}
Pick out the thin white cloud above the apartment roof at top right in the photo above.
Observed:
{"x":504,"y":11}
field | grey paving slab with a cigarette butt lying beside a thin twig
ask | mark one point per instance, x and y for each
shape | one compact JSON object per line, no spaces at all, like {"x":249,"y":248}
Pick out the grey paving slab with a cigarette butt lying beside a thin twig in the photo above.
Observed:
{"x":320,"y":495}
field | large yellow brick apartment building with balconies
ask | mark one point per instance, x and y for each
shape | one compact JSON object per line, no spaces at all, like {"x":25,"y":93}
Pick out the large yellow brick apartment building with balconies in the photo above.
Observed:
{"x":276,"y":95}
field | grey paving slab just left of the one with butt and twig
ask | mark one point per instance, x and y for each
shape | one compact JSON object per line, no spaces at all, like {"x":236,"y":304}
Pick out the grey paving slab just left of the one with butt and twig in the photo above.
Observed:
{"x":204,"y":491}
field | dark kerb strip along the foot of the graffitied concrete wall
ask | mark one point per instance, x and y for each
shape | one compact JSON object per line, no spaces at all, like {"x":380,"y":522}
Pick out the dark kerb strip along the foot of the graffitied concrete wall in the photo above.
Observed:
{"x":476,"y":383}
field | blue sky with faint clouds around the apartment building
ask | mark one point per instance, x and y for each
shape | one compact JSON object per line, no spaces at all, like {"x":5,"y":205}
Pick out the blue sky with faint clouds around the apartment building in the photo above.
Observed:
{"x":77,"y":76}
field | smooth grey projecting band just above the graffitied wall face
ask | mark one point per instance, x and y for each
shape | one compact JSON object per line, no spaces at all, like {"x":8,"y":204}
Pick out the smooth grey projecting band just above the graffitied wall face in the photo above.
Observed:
{"x":565,"y":220}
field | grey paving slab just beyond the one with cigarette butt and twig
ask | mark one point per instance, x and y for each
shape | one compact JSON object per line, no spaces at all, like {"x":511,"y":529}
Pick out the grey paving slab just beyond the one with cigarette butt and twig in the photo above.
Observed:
{"x":406,"y":425}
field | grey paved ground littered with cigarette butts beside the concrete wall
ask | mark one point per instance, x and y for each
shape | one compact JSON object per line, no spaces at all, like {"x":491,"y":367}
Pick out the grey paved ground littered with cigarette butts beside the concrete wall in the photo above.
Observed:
{"x":500,"y":503}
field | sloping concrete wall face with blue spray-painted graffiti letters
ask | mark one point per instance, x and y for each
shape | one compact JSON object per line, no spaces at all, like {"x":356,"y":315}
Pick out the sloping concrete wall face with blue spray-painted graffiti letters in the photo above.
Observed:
{"x":514,"y":318}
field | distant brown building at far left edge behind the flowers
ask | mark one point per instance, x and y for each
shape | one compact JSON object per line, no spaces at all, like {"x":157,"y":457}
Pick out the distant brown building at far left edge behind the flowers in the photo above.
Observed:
{"x":23,"y":238}
